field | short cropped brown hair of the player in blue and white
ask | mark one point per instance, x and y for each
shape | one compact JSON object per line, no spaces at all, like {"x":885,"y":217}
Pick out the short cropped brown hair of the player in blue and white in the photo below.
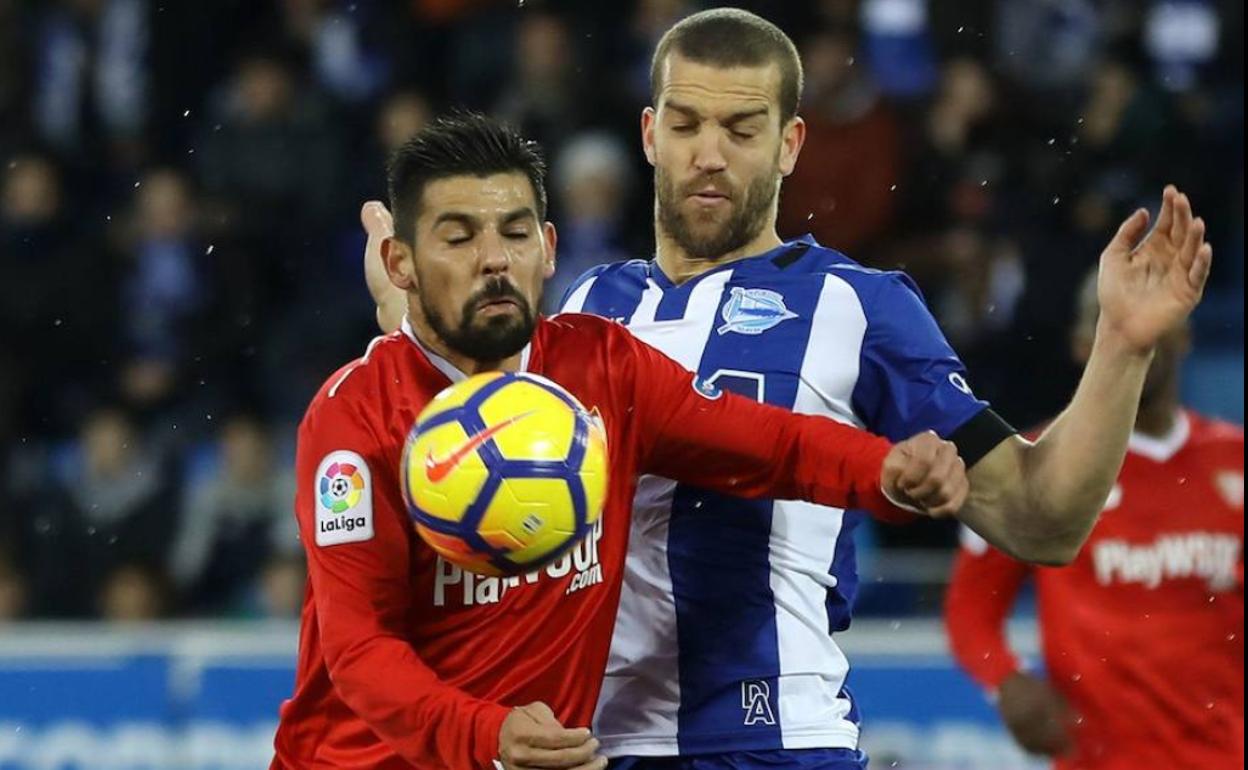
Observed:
{"x":733,"y":38}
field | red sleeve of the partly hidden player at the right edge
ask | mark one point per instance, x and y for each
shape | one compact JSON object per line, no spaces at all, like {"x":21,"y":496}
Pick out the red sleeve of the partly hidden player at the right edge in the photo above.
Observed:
{"x":980,"y":596}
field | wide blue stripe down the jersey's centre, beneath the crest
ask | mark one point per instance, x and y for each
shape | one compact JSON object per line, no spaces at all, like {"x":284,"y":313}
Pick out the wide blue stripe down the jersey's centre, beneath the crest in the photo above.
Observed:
{"x":719,"y":551}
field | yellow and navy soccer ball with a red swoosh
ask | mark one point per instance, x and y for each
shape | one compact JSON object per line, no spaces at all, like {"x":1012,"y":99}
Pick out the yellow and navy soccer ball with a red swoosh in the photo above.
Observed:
{"x":505,"y":472}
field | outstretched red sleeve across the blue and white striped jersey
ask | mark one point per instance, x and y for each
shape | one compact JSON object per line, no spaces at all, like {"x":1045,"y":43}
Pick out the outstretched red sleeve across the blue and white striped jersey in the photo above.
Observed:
{"x":736,"y":446}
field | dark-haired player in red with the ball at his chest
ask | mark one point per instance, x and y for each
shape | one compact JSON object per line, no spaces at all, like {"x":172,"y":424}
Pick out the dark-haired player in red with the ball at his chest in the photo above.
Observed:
{"x":409,"y":662}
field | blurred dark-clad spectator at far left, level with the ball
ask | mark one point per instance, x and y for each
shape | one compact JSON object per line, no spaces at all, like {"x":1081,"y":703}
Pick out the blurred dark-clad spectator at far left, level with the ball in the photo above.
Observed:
{"x":109,"y":505}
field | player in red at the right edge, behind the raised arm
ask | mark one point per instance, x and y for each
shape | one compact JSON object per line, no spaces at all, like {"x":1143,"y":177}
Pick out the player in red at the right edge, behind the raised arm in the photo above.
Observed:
{"x":1144,"y":633}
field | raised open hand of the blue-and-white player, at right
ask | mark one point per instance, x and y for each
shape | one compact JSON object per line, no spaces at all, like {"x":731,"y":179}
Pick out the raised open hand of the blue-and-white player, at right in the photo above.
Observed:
{"x":1151,"y":283}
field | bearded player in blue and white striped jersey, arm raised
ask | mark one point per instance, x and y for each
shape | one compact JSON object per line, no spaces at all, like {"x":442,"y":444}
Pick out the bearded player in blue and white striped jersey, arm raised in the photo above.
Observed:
{"x":724,"y":655}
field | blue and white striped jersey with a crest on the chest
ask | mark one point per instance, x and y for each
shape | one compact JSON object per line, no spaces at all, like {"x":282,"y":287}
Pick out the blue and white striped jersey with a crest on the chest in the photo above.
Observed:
{"x":724,"y":638}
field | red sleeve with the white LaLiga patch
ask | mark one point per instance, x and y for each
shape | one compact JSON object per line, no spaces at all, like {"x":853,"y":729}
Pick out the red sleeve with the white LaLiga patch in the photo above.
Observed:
{"x":361,"y":586}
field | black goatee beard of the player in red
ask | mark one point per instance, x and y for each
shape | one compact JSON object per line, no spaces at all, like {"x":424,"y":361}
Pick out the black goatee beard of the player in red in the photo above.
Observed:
{"x":492,"y":339}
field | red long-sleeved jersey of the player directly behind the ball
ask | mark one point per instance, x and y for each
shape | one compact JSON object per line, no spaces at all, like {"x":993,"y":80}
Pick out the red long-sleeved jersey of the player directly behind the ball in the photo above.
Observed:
{"x":407,"y":661}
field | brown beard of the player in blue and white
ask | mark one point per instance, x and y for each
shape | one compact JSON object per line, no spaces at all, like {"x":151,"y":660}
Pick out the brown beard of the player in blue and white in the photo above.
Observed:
{"x":746,"y":220}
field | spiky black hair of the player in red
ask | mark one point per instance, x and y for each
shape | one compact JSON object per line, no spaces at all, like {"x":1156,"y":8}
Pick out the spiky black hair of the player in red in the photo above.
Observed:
{"x":460,"y":144}
